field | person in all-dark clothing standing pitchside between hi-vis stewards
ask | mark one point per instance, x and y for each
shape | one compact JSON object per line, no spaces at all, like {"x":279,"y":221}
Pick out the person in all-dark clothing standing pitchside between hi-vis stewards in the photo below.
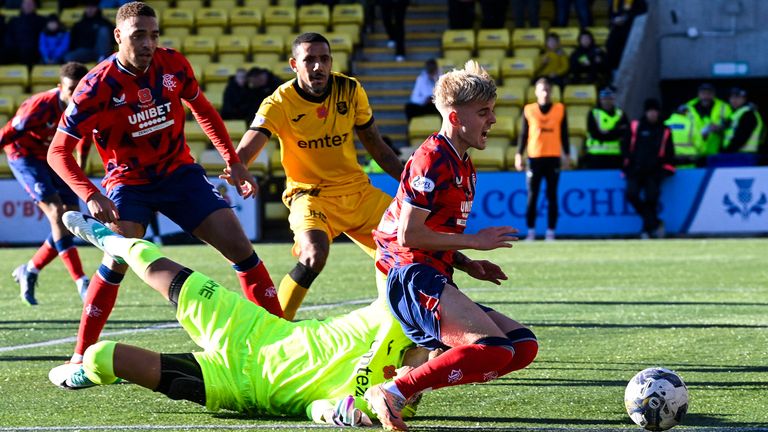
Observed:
{"x":647,"y":160}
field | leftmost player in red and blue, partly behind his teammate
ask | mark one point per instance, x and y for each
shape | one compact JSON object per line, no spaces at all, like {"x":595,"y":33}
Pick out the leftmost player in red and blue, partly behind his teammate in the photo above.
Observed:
{"x":26,"y":138}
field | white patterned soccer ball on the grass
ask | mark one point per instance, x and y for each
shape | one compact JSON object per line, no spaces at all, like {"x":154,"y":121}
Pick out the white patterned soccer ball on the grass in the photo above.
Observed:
{"x":656,"y":399}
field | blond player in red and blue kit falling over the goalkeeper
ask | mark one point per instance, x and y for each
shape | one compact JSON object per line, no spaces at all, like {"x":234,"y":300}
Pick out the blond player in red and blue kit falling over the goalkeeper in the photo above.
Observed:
{"x":418,"y":240}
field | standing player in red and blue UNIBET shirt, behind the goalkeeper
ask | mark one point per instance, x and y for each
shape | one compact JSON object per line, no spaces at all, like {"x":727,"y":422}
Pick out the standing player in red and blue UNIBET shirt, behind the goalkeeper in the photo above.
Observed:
{"x":132,"y":104}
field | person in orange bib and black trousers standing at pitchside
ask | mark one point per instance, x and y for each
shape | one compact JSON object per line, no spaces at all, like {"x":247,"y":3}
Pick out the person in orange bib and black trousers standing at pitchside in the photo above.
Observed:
{"x":544,"y":134}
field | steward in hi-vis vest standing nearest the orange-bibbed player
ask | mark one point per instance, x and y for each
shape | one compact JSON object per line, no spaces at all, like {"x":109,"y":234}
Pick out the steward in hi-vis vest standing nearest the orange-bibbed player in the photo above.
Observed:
{"x":607,"y":127}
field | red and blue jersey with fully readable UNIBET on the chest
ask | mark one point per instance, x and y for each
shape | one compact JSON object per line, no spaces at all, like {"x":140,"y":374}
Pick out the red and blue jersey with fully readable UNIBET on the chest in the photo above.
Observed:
{"x":137,"y":121}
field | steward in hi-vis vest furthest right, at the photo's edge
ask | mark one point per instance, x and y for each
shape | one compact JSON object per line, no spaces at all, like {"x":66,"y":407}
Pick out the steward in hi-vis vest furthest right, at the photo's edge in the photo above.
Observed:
{"x":745,"y":129}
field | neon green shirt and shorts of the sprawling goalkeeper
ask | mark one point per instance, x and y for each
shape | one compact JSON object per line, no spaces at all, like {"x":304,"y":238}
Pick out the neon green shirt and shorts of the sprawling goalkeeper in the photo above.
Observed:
{"x":255,"y":362}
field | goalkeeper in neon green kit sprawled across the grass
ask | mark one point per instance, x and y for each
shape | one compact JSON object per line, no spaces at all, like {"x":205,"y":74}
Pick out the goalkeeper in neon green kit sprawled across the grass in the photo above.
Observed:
{"x":253,"y":362}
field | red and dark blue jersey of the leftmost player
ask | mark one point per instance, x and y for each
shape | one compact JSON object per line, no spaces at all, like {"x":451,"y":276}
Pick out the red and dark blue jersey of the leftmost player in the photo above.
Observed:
{"x":29,"y":132}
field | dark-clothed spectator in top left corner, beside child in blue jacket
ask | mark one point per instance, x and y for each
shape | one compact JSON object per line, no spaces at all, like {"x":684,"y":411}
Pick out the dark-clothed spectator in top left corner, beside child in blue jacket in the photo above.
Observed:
{"x":23,"y":34}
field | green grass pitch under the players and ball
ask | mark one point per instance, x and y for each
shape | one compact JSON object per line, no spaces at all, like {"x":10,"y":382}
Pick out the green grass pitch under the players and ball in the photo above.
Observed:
{"x":602,"y":311}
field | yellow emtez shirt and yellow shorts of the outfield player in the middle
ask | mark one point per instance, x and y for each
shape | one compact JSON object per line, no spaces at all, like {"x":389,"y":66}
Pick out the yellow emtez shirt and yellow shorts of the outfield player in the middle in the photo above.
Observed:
{"x":326,"y":189}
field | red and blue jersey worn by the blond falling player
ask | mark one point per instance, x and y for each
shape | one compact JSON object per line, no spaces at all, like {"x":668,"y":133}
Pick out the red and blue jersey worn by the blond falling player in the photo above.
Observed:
{"x":437,"y":179}
